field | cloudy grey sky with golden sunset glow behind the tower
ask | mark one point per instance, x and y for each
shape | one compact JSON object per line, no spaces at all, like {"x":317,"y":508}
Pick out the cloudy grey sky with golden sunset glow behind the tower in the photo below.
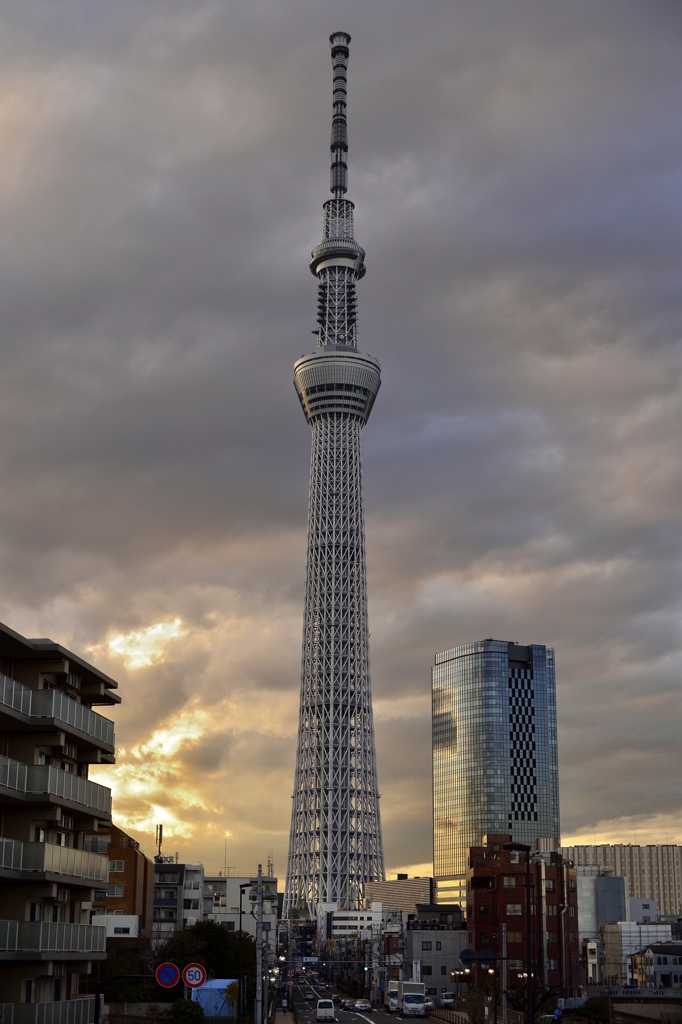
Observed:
{"x":517,"y":172}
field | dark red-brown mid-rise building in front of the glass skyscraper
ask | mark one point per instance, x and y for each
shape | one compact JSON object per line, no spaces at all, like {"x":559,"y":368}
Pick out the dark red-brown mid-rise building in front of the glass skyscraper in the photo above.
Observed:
{"x":502,"y":887}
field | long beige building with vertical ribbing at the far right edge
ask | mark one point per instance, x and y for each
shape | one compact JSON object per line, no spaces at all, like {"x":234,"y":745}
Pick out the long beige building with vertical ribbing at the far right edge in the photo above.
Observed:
{"x":653,"y":872}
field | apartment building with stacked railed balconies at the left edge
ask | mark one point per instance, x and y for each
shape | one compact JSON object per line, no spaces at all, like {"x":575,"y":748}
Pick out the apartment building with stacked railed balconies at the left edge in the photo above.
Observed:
{"x":50,"y":810}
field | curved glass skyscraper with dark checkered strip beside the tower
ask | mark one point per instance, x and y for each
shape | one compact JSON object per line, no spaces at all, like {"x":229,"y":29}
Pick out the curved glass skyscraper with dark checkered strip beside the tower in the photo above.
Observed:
{"x":495,"y":753}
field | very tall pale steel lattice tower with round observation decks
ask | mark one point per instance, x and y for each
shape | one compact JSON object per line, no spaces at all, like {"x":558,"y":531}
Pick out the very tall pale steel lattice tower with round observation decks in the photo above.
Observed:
{"x":335,"y":843}
